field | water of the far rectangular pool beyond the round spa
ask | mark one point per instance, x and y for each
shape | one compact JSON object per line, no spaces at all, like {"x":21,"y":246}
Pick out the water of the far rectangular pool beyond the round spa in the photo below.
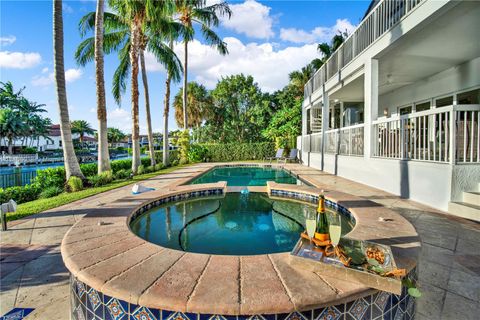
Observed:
{"x":246,"y":176}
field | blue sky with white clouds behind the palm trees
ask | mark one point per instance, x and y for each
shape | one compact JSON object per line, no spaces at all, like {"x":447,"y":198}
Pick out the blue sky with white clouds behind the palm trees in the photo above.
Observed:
{"x":266,"y":39}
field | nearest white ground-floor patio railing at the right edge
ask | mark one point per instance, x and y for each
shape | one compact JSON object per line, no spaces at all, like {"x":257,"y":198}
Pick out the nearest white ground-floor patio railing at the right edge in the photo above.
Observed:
{"x":437,"y":135}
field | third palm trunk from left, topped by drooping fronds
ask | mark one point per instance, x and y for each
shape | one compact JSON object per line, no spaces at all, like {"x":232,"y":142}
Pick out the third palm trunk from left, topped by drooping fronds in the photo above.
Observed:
{"x":135,"y":40}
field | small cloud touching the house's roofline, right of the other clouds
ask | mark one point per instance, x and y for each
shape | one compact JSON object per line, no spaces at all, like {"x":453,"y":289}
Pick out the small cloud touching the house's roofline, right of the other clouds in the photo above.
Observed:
{"x":319,"y":34}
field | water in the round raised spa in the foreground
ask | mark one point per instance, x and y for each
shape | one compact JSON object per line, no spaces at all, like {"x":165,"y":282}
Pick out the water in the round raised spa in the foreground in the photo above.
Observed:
{"x":238,"y":224}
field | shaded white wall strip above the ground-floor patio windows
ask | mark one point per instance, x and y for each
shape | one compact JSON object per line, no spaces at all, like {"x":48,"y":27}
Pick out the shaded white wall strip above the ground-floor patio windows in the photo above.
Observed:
{"x":458,"y":78}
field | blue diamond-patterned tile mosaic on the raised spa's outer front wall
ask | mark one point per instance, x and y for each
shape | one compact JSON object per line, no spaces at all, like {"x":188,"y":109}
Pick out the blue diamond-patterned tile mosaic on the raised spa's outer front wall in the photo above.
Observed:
{"x":90,"y":304}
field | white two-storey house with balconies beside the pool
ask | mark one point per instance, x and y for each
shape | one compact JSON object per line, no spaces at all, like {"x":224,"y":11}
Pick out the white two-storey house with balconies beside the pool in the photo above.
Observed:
{"x":397,"y":106}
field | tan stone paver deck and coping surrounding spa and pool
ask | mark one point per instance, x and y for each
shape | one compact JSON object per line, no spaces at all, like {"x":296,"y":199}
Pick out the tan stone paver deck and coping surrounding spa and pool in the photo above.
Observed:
{"x":33,"y":274}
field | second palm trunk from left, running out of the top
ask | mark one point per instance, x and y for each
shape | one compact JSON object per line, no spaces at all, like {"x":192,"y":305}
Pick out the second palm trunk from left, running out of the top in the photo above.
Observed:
{"x":103,"y":156}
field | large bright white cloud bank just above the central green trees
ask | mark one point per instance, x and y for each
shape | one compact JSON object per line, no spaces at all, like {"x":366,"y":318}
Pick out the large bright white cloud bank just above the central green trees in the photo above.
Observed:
{"x":268,"y":66}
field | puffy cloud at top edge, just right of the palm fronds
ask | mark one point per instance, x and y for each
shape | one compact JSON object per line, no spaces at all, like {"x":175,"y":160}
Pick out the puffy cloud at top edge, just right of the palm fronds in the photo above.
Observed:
{"x":250,"y":18}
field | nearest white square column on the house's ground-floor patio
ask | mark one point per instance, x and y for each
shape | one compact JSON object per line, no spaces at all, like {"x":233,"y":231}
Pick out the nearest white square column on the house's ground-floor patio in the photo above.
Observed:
{"x":371,"y":104}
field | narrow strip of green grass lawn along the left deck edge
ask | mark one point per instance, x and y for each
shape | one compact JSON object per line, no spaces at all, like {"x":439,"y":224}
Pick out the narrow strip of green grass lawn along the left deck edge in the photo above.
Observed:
{"x":37,"y":206}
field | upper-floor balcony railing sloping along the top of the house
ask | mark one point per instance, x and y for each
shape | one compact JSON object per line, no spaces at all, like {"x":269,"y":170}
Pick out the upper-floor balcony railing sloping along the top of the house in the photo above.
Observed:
{"x":384,"y":16}
